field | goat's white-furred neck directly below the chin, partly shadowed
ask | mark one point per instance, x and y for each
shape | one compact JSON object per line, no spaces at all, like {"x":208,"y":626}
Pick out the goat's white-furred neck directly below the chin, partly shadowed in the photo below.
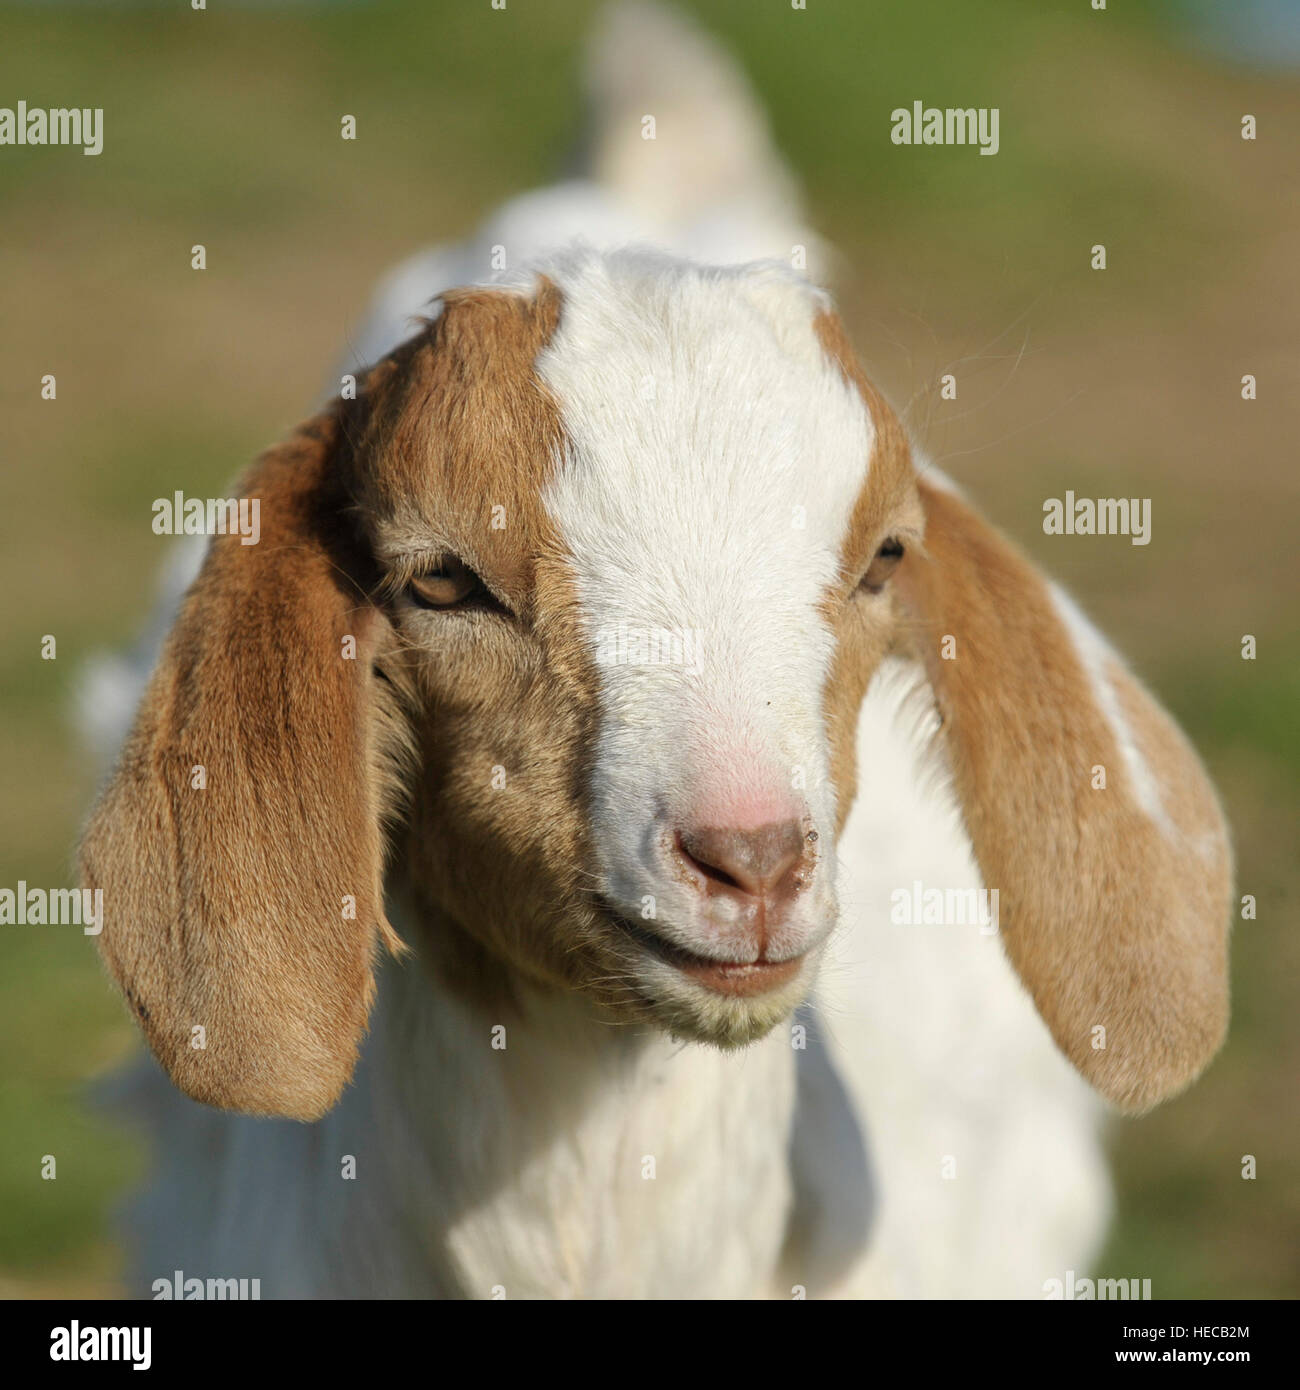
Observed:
{"x":550,"y":1153}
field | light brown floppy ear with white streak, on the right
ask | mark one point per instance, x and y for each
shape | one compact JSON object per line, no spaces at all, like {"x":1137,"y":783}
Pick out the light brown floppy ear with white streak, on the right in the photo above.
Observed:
{"x":1114,"y":899}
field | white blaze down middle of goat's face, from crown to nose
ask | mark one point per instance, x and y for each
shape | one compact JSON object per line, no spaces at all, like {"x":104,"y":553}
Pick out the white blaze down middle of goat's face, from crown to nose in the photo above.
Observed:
{"x":715,"y":455}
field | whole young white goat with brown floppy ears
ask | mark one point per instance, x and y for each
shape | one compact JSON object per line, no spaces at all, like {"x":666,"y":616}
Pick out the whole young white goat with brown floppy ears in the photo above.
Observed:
{"x":603,"y":943}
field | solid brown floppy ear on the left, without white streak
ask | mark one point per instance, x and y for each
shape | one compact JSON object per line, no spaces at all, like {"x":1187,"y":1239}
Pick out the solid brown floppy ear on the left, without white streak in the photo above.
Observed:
{"x":243,"y":817}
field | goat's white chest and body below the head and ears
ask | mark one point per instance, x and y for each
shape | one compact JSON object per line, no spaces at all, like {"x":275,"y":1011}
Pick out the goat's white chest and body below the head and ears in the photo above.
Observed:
{"x":585,"y":1160}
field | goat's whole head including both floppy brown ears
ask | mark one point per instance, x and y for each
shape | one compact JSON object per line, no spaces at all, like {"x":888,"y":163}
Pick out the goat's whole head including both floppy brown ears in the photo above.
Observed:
{"x":582,"y":594}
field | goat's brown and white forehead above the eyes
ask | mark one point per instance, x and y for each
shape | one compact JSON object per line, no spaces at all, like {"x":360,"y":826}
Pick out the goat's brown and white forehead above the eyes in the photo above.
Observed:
{"x":692,"y":441}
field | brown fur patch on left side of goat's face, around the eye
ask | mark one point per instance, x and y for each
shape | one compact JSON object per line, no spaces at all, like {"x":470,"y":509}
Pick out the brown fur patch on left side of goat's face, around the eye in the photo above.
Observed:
{"x":497,"y":847}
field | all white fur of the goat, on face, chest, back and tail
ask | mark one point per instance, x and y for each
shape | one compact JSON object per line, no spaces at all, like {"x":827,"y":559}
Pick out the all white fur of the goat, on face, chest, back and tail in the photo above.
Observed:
{"x":525,"y":1170}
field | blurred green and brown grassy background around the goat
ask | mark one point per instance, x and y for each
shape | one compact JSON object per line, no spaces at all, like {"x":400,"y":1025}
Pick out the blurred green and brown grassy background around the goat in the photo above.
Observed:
{"x":1120,"y":127}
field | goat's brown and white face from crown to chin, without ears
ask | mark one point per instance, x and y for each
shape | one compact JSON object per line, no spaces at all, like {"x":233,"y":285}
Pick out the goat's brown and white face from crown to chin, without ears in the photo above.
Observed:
{"x":637,"y":533}
